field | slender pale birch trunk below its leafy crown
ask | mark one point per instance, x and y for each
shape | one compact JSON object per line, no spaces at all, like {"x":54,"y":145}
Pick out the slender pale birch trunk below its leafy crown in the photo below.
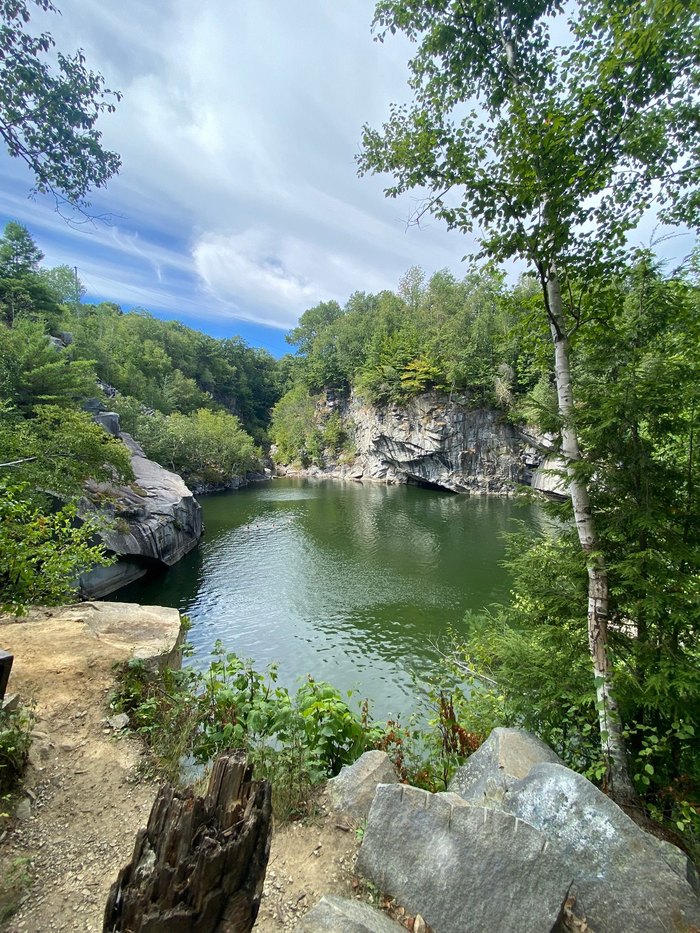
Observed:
{"x":620,"y":786}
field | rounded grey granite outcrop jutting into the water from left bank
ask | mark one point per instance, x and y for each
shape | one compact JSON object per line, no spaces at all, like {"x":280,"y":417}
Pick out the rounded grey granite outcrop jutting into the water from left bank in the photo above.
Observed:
{"x":156,"y":520}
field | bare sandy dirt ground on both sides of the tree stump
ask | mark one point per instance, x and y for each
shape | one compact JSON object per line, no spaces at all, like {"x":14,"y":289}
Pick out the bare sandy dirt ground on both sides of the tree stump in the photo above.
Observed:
{"x":85,"y":798}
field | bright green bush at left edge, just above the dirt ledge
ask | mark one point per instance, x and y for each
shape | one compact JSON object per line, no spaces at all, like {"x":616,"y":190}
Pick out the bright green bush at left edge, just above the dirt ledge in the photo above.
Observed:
{"x":42,"y":552}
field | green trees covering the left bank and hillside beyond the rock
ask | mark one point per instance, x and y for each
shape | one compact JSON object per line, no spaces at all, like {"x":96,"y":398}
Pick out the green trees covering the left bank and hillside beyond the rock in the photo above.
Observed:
{"x":197,"y":405}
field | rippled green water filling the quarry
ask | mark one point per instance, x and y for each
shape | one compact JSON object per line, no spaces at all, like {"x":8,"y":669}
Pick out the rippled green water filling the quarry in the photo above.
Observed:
{"x":352,"y":583}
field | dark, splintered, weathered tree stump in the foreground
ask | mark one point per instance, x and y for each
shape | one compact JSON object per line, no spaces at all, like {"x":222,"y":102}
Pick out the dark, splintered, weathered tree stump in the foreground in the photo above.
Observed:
{"x":199,"y":866}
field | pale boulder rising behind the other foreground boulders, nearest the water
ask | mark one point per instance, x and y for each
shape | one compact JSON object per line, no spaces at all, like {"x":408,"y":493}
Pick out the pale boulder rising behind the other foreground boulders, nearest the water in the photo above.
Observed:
{"x":506,"y":756}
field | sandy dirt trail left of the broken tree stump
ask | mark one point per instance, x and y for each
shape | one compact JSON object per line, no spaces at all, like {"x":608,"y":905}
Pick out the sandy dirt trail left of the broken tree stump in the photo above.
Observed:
{"x":85,"y":798}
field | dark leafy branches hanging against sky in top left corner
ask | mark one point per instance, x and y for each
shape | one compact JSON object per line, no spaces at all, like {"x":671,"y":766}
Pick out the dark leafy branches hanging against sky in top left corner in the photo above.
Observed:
{"x":49,"y":106}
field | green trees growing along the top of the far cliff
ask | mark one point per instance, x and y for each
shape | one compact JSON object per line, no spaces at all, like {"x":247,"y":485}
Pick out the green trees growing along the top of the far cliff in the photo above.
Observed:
{"x":443,"y":334}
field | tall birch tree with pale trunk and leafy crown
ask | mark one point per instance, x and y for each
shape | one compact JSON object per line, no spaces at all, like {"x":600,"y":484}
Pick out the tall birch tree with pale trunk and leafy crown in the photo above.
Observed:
{"x":551,"y":151}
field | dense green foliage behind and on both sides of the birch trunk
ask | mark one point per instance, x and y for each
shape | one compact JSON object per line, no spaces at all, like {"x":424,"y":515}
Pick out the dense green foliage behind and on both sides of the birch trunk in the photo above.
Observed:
{"x":527,"y":663}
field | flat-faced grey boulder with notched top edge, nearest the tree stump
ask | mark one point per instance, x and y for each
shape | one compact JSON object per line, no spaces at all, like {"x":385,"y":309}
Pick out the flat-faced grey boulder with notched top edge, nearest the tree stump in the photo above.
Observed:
{"x":462,"y":867}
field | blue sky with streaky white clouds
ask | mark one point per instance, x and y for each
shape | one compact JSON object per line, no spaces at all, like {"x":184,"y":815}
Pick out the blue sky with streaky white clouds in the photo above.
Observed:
{"x":238,"y":204}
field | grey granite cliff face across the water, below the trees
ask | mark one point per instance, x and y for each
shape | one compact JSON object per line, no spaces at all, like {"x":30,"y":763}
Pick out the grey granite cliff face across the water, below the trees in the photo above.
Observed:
{"x":440,"y":441}
